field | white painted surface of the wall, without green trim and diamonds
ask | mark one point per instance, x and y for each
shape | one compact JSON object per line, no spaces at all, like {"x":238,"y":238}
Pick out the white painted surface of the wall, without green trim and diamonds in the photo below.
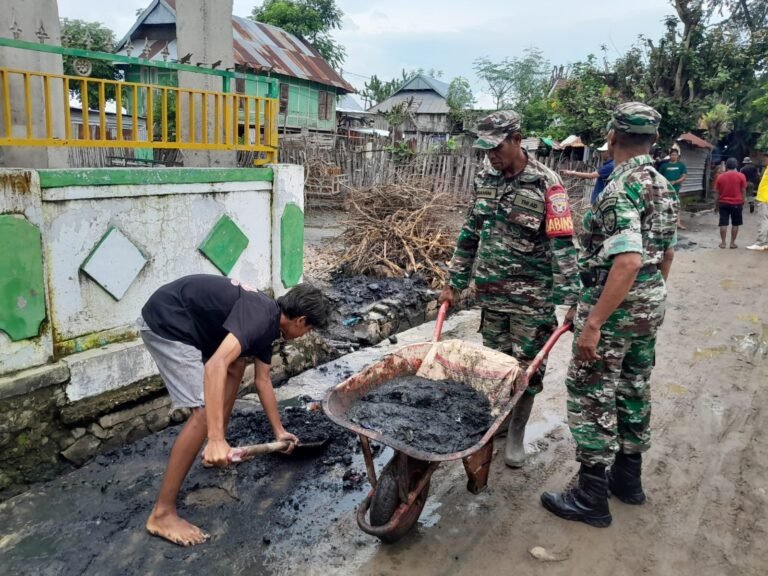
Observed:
{"x":167,"y":223}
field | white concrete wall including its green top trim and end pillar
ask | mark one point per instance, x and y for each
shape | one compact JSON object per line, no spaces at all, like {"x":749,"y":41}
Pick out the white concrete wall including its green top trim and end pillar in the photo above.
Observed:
{"x":111,"y":237}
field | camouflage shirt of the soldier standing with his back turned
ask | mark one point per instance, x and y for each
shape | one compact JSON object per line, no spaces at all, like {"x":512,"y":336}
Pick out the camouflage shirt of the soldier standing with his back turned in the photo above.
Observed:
{"x":637,"y":212}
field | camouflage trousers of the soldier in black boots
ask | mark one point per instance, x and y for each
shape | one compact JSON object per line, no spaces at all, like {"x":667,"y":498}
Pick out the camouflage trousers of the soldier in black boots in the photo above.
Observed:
{"x":609,"y":400}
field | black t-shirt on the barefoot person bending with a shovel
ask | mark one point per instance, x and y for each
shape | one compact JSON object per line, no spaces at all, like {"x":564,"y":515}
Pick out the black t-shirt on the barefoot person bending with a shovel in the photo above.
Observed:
{"x":200,"y":310}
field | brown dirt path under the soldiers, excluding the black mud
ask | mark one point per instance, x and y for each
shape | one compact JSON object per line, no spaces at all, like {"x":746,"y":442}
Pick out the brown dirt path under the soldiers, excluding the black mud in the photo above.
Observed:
{"x":707,"y":512}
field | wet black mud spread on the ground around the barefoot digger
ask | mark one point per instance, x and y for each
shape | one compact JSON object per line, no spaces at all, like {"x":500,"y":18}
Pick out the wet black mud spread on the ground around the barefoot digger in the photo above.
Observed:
{"x":92,"y":520}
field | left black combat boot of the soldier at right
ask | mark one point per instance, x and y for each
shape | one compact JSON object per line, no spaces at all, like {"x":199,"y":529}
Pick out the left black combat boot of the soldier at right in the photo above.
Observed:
{"x":587,"y":502}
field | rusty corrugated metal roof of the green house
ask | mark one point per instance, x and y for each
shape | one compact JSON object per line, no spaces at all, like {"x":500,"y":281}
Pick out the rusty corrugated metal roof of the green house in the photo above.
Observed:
{"x":265,"y":48}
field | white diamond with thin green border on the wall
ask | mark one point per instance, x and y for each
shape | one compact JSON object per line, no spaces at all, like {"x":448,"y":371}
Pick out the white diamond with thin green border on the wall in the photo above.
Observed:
{"x":114,"y":263}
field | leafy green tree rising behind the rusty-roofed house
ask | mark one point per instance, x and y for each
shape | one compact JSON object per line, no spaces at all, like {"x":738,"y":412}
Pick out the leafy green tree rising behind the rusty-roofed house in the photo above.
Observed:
{"x":313,"y":20}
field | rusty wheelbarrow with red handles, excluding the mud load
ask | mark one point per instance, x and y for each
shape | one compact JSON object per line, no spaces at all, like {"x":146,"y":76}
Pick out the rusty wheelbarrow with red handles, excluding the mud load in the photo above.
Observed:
{"x":398,"y":495}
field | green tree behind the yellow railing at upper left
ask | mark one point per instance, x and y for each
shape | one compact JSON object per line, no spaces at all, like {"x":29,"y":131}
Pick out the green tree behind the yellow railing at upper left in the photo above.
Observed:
{"x":89,"y":36}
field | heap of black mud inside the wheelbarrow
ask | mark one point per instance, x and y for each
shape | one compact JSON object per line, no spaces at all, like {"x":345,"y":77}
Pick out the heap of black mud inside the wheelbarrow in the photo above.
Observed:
{"x":437,"y":416}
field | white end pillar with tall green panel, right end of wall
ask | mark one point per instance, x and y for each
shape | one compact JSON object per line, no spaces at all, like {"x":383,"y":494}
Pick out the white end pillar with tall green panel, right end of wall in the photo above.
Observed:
{"x":287,"y":226}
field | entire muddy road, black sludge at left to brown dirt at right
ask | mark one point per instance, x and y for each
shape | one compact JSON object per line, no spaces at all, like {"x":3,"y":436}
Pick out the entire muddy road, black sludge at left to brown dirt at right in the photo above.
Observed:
{"x":706,"y":515}
